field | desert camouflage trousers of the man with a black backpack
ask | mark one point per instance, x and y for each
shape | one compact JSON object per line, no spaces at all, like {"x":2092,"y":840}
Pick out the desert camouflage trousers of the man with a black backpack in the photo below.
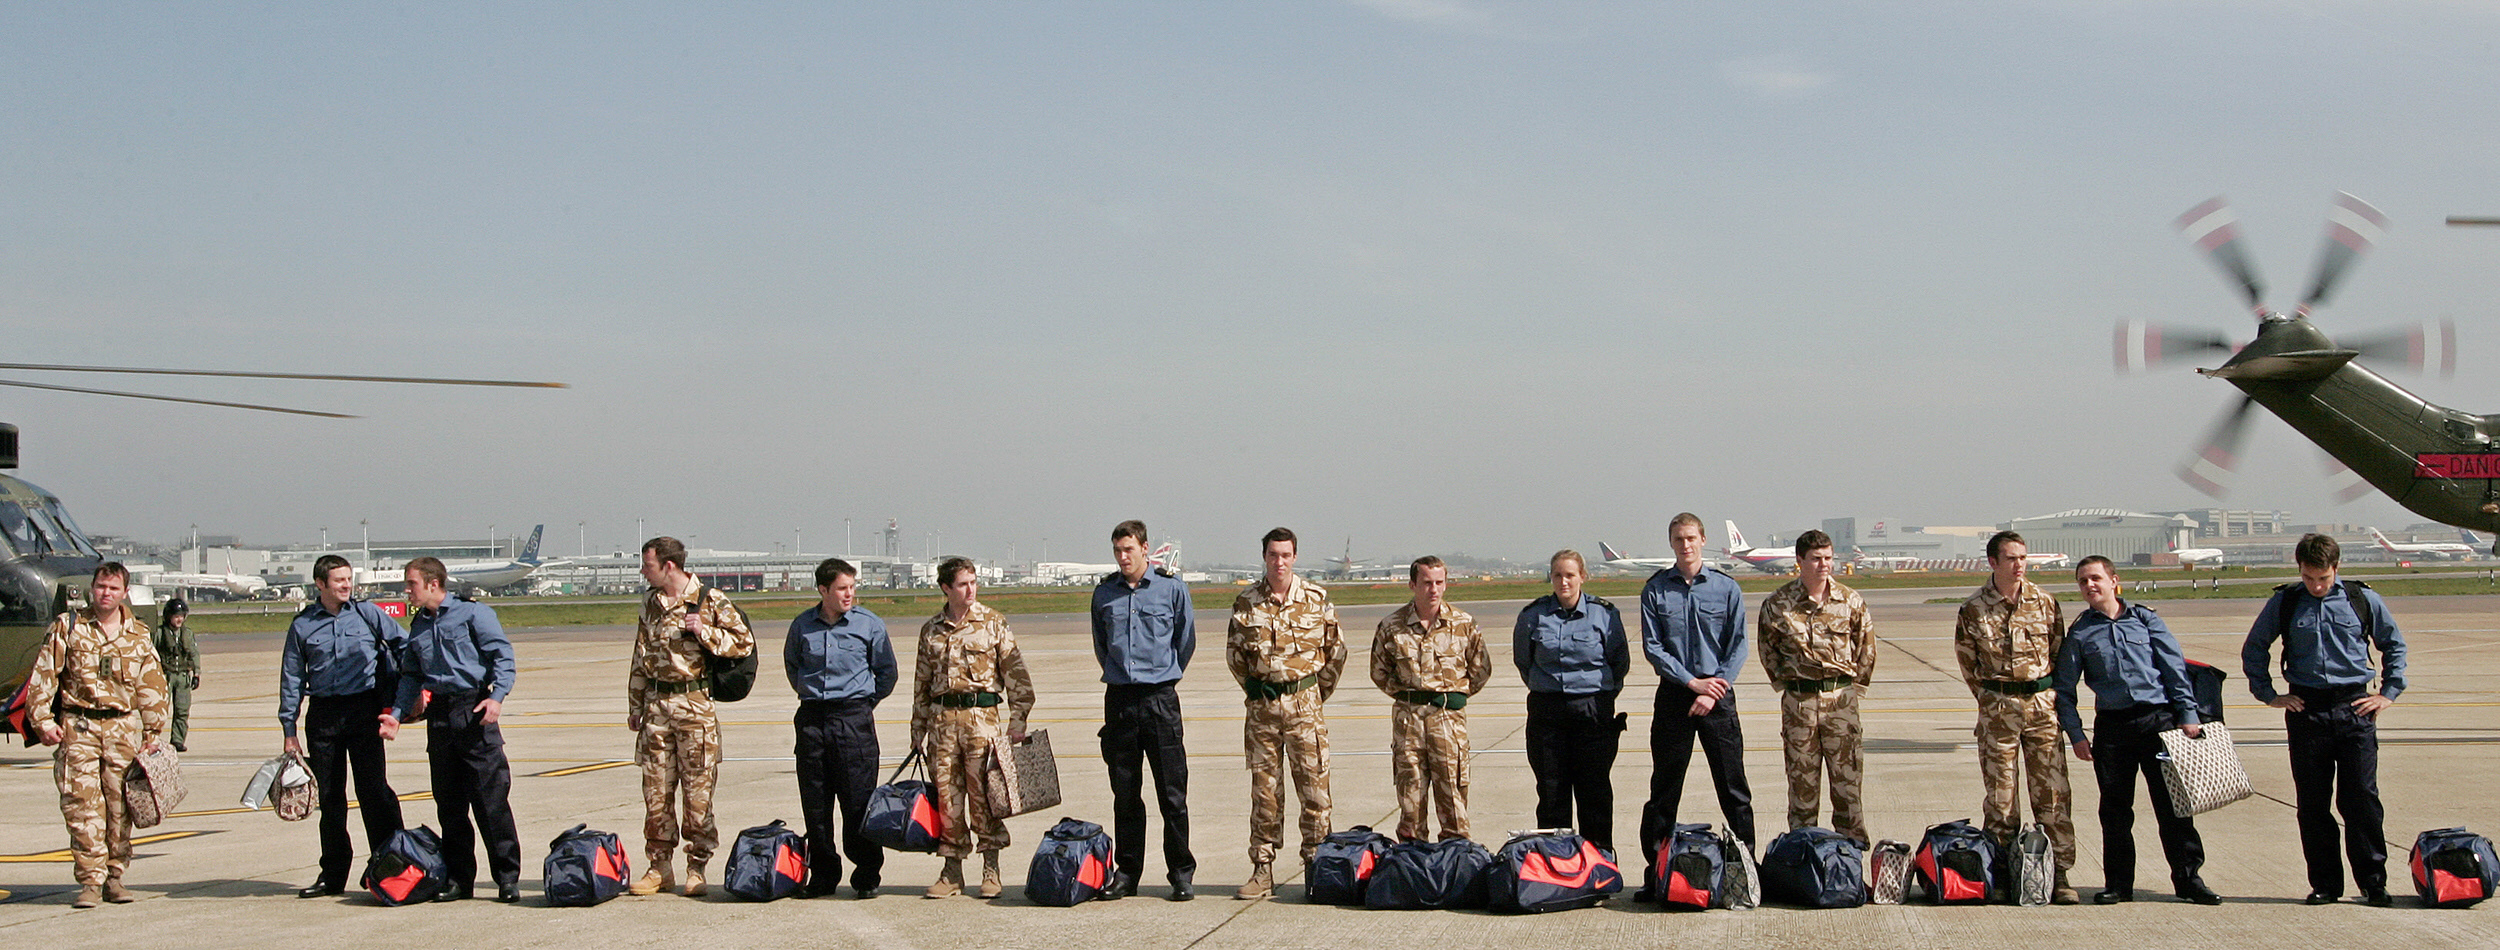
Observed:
{"x":681,"y":761}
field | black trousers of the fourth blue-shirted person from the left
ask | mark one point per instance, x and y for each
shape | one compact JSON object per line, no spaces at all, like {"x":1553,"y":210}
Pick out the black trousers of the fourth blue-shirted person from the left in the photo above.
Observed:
{"x":1141,"y":726}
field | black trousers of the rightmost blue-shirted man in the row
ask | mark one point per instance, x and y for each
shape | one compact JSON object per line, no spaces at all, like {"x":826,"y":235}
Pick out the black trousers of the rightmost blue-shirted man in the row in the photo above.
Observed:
{"x":2336,"y":764}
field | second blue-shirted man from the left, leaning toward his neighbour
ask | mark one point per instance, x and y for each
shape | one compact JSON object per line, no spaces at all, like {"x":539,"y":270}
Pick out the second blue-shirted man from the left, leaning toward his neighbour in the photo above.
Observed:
{"x":456,"y":676}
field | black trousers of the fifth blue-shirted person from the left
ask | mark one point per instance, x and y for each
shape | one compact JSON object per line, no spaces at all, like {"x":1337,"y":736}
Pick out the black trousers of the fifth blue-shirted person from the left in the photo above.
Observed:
{"x":1571,"y":749}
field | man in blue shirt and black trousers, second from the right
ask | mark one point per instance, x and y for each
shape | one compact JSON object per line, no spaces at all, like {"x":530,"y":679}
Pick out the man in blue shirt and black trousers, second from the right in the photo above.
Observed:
{"x":2139,"y":691}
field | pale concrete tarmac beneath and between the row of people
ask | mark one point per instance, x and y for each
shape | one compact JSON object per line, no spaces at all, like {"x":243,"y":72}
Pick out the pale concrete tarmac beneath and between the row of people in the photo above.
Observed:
{"x":216,"y":876}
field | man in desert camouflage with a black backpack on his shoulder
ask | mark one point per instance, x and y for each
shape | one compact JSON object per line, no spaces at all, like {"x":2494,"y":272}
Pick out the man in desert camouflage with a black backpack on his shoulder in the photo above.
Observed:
{"x":669,"y":704}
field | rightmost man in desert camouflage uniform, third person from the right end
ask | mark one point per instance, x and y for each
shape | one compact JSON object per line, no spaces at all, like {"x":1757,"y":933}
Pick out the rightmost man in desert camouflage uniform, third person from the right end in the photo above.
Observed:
{"x":2009,"y":639}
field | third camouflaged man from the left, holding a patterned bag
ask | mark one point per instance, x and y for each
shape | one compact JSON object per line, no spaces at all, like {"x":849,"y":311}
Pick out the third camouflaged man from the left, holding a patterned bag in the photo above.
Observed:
{"x":969,"y":666}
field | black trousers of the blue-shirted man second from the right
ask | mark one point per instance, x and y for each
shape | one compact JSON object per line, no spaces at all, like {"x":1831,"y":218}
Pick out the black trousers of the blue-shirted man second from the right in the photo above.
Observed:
{"x":2126,"y":746}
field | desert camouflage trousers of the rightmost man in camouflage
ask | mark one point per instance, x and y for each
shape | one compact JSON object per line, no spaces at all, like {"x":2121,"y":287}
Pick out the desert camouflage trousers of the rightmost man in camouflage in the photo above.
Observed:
{"x":2021,"y":734}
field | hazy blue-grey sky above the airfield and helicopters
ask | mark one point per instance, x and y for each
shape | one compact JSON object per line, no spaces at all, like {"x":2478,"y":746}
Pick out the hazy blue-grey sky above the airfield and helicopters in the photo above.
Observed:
{"x":1436,"y":276}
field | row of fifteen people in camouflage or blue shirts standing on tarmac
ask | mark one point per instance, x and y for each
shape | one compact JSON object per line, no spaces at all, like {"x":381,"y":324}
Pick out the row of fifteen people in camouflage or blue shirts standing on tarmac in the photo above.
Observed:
{"x":1286,"y":651}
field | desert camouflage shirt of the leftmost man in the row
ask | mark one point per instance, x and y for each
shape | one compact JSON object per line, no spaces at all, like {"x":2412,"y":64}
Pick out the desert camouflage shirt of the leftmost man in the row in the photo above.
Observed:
{"x":94,"y":671}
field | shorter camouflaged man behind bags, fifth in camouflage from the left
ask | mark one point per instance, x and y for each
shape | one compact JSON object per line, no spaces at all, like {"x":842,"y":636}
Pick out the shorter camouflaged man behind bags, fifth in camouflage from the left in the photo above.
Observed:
{"x":1431,"y":659}
